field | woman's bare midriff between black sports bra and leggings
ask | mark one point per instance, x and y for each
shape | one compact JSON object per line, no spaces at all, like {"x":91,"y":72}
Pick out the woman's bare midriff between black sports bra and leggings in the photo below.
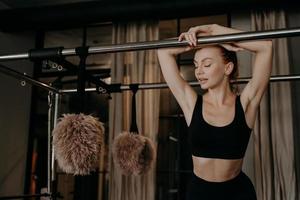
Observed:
{"x":216,"y":170}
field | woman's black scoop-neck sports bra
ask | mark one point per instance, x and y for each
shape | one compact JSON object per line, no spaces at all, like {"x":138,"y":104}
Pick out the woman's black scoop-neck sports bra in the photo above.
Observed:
{"x":226,"y":142}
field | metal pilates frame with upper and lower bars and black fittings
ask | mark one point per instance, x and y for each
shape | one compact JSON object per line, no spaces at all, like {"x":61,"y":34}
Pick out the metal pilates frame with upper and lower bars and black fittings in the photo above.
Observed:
{"x":58,"y":54}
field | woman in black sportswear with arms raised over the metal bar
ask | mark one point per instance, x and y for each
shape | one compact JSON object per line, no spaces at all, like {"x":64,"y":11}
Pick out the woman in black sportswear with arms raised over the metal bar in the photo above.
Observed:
{"x":220,"y":121}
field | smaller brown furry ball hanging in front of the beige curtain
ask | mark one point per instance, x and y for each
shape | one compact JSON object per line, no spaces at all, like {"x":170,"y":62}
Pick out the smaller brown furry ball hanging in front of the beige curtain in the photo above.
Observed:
{"x":133,"y":153}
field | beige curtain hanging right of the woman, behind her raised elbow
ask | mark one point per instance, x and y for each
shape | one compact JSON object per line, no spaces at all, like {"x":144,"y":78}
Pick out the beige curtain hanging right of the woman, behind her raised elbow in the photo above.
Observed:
{"x":273,"y":134}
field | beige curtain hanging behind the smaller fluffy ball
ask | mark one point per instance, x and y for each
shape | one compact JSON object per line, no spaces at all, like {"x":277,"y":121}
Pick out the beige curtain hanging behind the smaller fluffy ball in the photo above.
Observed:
{"x":134,"y":67}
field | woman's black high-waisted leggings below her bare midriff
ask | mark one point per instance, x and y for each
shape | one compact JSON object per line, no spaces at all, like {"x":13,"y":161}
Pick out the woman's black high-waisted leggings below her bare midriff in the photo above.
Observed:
{"x":238,"y":188}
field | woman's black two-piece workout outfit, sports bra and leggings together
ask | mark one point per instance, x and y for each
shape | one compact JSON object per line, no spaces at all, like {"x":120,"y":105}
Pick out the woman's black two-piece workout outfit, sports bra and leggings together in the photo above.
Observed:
{"x":226,"y":142}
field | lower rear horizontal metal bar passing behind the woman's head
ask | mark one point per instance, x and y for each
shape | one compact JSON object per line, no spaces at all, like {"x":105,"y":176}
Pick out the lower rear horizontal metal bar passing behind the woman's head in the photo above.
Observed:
{"x":279,"y":78}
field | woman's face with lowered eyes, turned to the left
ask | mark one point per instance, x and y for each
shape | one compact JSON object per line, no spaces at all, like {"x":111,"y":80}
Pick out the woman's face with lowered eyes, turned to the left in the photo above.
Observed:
{"x":209,"y":67}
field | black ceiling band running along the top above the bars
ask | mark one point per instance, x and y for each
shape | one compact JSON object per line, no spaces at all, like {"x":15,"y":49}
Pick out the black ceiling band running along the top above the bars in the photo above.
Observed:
{"x":82,"y":13}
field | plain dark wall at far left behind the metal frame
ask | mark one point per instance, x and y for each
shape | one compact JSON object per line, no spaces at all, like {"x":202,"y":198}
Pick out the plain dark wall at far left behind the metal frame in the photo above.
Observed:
{"x":14,"y":115}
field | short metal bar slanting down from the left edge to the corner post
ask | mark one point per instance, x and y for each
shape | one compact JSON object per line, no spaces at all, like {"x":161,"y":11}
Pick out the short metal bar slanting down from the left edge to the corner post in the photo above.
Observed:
{"x":23,"y":77}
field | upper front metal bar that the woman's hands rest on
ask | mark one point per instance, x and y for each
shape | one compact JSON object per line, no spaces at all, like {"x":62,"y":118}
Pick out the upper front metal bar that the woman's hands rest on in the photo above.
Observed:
{"x":134,"y":46}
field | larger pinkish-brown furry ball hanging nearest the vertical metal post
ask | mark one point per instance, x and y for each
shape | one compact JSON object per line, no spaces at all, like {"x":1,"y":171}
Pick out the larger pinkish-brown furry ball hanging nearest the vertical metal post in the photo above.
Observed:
{"x":77,"y":140}
